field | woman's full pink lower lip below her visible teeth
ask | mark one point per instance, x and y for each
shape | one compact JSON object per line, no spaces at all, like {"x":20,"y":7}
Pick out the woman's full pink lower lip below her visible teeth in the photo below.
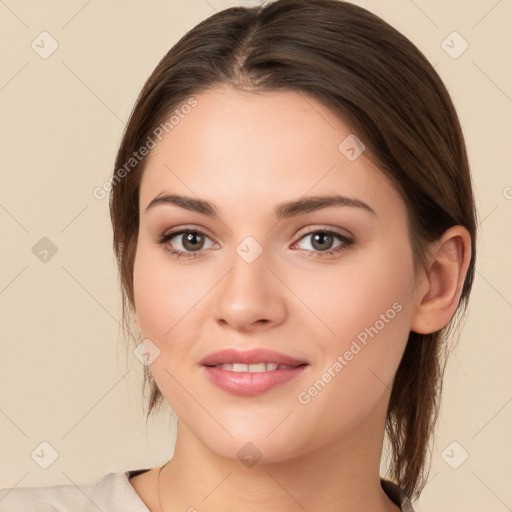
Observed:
{"x":251,"y":383}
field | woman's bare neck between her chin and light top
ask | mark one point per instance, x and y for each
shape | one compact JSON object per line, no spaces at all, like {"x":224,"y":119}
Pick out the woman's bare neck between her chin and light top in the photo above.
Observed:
{"x":341,"y":476}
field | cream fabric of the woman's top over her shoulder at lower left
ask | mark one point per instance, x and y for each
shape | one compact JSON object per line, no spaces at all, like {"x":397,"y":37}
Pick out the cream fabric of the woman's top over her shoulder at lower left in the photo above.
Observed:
{"x":113,"y":492}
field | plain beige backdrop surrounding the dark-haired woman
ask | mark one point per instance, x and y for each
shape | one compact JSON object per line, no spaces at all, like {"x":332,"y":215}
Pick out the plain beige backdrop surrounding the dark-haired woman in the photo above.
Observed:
{"x":64,"y":378}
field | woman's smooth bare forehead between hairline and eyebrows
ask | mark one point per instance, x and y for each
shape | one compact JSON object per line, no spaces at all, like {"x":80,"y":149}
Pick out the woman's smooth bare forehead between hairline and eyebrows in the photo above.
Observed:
{"x":261,"y":149}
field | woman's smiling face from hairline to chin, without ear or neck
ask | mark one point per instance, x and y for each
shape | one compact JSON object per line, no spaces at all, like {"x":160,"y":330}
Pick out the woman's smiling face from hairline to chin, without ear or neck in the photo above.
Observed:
{"x":257,"y":280}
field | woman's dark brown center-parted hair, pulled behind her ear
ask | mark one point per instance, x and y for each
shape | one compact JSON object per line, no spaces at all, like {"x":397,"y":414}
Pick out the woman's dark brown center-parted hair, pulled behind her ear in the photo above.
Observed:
{"x":385,"y":90}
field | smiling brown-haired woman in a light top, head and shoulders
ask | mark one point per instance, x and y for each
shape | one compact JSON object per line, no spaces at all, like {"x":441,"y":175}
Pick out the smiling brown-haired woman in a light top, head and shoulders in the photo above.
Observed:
{"x":295,"y":231}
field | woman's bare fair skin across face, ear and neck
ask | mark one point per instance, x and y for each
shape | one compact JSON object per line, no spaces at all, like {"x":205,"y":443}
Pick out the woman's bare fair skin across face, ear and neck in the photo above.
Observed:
{"x":246,"y":153}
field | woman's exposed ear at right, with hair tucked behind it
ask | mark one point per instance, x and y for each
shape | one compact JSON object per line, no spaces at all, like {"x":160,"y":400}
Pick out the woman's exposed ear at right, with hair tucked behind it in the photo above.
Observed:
{"x":449,"y":262}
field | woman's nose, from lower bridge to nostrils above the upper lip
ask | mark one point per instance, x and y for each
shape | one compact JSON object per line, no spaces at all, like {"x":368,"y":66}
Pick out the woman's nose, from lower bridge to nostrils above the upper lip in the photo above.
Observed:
{"x":250,"y":296}
